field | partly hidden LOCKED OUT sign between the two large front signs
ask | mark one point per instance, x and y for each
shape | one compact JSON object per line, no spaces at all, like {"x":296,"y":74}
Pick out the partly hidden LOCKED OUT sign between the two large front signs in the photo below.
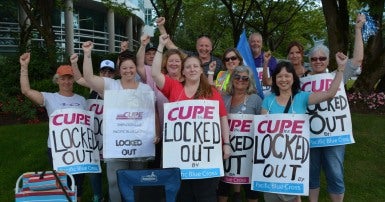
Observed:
{"x":238,"y":167}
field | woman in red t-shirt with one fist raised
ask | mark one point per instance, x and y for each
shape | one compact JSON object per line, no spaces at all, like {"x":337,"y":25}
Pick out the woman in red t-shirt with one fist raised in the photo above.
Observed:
{"x":194,"y":86}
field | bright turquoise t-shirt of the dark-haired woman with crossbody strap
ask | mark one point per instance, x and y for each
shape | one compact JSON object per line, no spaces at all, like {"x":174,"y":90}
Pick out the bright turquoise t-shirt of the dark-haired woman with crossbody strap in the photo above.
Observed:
{"x":298,"y":104}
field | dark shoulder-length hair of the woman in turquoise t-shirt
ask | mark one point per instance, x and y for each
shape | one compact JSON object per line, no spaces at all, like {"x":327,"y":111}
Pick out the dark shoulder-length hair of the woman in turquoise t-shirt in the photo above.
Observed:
{"x":295,"y":88}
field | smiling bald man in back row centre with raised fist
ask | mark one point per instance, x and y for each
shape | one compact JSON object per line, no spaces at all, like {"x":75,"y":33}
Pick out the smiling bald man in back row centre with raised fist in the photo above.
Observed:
{"x":204,"y":47}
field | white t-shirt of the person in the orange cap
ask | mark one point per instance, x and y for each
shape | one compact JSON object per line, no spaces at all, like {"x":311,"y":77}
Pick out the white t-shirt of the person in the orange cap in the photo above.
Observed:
{"x":55,"y":101}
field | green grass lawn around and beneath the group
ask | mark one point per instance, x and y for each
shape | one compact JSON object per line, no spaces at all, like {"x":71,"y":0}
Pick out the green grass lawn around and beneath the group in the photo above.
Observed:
{"x":23,"y":149}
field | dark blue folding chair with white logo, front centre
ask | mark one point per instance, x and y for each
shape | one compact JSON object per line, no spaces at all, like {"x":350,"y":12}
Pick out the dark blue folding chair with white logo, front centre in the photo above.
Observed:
{"x":151,"y":185}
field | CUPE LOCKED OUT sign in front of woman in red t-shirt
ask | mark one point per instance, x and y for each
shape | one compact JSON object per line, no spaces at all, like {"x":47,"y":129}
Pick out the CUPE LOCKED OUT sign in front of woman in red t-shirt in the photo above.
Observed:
{"x":192,"y":138}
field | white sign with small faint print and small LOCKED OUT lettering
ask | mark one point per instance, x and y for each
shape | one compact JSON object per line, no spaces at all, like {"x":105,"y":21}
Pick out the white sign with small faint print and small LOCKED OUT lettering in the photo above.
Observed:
{"x":129,"y":123}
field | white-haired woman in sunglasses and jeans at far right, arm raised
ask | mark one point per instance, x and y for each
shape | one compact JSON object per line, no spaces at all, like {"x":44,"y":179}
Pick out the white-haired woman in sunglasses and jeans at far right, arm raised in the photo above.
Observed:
{"x":330,"y":159}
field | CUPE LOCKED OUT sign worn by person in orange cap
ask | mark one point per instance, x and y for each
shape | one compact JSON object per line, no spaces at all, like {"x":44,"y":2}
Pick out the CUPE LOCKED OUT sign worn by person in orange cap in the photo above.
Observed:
{"x":73,"y":142}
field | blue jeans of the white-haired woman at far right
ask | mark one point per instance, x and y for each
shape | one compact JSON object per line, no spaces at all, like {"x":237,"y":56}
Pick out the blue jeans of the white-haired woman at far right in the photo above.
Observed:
{"x":331,"y":160}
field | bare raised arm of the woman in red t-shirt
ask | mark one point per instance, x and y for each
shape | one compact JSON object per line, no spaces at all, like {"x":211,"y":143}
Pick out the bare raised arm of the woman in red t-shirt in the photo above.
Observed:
{"x":156,"y":73}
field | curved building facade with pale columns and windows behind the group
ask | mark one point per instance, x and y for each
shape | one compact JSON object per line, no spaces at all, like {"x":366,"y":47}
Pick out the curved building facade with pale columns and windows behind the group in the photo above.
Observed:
{"x":79,"y":21}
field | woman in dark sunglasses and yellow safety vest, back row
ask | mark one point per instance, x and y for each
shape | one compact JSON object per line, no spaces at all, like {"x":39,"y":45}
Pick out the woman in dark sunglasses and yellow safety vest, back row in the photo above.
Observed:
{"x":231,"y":58}
